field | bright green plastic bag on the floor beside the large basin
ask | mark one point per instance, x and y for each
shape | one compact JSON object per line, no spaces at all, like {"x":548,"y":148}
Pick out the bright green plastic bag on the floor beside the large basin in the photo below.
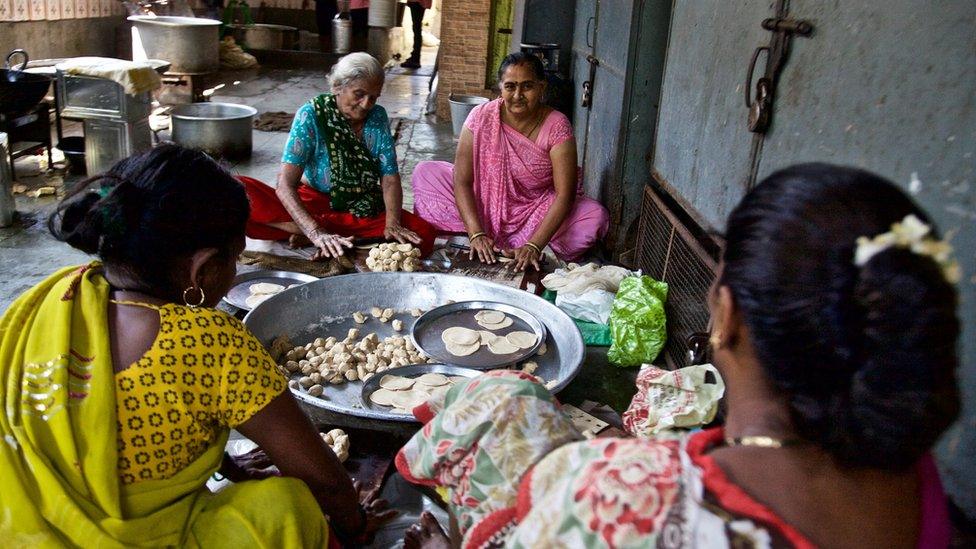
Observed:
{"x":637,"y":323}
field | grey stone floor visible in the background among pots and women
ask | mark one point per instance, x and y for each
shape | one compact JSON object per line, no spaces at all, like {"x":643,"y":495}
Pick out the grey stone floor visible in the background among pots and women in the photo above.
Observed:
{"x":28,"y":253}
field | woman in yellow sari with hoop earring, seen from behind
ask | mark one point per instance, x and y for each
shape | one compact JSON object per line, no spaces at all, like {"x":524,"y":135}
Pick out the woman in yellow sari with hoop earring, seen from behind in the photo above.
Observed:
{"x":120,"y":382}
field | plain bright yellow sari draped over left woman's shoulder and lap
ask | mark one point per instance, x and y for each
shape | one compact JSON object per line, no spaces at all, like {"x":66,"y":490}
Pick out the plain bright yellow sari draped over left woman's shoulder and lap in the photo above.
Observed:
{"x":58,"y":457}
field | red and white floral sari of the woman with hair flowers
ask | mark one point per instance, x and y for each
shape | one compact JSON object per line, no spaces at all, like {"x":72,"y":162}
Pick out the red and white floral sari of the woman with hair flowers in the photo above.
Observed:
{"x":519,"y":475}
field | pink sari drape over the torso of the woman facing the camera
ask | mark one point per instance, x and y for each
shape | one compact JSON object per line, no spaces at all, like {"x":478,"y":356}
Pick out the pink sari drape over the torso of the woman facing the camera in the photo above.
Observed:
{"x":512,"y":175}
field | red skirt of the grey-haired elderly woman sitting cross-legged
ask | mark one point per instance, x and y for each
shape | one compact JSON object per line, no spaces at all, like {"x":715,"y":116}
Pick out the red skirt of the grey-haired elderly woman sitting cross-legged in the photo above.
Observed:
{"x":266,"y":208}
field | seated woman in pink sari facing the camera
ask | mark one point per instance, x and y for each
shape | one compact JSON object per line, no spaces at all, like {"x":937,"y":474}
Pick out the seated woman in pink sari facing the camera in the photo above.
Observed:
{"x":514,"y":186}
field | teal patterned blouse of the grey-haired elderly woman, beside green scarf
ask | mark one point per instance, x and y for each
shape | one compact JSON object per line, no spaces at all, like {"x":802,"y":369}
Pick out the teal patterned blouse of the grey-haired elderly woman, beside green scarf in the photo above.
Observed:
{"x":306,"y":148}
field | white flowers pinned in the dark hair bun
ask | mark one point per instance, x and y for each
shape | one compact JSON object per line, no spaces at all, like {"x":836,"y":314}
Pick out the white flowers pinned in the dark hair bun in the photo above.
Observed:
{"x":913,"y":234}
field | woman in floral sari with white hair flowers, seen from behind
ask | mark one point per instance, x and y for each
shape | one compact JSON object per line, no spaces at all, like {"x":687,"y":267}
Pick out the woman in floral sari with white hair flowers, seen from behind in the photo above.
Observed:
{"x":835,"y":331}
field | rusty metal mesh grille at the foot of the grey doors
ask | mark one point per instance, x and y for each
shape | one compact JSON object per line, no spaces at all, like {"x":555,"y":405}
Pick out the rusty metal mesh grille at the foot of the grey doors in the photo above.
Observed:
{"x":667,"y":250}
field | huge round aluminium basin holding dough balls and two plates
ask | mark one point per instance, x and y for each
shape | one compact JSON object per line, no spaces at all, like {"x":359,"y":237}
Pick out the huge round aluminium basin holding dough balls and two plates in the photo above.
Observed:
{"x":325,"y":306}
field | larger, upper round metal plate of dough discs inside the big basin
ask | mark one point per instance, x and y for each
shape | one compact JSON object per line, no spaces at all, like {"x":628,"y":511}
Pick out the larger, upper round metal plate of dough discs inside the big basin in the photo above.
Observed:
{"x":426,"y":333}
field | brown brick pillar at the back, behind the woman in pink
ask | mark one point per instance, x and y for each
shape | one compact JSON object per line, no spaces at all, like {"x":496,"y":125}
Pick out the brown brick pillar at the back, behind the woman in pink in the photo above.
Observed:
{"x":463,"y":51}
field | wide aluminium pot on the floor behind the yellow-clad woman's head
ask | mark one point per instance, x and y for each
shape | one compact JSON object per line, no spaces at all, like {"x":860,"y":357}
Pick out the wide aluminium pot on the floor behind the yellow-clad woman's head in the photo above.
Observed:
{"x":219,"y":129}
